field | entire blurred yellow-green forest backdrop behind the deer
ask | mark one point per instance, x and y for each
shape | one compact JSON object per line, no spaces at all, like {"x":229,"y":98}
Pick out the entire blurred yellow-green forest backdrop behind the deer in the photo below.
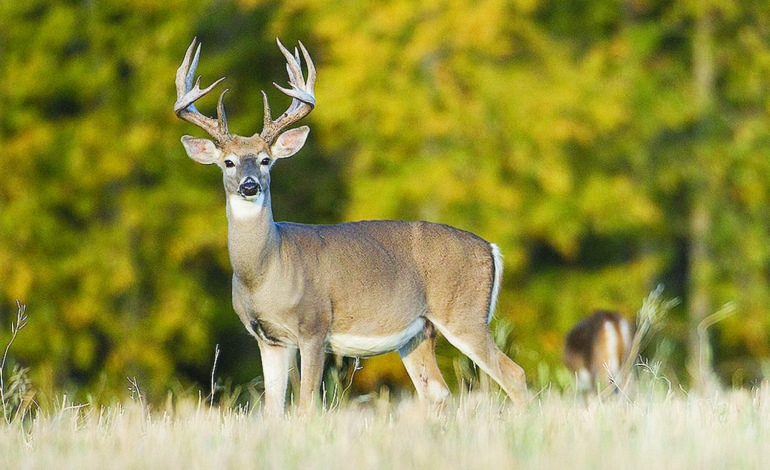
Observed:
{"x":606,"y":146}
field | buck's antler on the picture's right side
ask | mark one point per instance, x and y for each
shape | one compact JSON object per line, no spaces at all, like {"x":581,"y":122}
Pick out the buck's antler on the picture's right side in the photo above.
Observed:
{"x":302,"y":93}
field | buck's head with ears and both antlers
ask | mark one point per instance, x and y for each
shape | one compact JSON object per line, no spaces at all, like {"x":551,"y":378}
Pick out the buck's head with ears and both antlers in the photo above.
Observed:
{"x":245,"y":161}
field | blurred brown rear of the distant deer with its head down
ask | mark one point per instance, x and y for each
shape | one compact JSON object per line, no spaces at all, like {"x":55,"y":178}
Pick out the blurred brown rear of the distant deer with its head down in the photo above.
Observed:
{"x":596,"y":348}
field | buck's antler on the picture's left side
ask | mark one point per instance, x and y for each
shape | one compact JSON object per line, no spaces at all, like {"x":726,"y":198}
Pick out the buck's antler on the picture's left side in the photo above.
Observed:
{"x":187,"y":95}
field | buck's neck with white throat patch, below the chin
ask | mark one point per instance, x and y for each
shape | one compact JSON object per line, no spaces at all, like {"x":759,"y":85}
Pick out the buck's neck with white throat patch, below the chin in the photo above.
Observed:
{"x":253,"y":239}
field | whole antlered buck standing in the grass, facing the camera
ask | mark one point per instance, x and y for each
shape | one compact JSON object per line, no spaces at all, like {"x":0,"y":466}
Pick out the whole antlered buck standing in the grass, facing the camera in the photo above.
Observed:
{"x":355,"y":289}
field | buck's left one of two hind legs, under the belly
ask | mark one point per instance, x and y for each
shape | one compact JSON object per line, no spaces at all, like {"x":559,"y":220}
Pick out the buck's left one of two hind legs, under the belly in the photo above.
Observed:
{"x":419,"y":357}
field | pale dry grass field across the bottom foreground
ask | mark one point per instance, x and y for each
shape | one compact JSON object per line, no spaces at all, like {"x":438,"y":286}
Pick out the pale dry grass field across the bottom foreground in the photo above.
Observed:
{"x":477,"y":430}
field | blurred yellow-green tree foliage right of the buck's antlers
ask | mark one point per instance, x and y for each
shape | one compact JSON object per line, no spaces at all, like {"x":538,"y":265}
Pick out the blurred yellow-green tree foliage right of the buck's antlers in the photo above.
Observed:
{"x":595,"y":142}
